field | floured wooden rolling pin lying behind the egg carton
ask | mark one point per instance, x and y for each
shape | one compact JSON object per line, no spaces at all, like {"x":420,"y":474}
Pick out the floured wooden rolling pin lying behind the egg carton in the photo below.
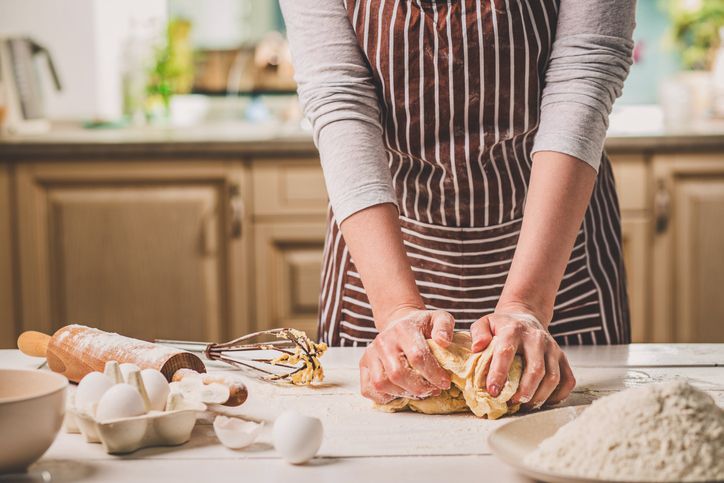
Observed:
{"x":76,"y":350}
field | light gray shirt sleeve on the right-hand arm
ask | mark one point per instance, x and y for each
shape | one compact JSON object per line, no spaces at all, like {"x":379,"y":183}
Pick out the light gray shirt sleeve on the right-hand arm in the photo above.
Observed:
{"x":589,"y":61}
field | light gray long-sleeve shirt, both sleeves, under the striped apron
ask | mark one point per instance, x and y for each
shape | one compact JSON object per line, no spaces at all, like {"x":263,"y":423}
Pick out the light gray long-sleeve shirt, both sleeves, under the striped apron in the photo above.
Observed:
{"x":588,"y":63}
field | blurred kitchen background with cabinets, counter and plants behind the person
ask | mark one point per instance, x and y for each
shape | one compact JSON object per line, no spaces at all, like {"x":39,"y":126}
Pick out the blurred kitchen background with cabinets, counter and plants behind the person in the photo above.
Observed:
{"x":157,"y":177}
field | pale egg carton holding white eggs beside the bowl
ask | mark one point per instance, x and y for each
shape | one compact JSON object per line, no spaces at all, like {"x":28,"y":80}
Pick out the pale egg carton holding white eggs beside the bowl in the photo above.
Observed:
{"x":170,"y":427}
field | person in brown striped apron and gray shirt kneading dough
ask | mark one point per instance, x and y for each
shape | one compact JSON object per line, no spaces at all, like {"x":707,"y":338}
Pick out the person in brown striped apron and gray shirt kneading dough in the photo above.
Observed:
{"x":461,"y":142}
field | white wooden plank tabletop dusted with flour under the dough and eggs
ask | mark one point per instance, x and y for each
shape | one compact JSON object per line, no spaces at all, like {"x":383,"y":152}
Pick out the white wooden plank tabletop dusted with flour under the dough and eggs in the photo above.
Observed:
{"x":362,"y":444}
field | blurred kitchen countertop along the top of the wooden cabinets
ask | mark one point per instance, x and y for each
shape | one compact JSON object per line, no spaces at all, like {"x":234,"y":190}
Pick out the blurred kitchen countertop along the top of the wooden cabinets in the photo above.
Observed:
{"x":238,"y":138}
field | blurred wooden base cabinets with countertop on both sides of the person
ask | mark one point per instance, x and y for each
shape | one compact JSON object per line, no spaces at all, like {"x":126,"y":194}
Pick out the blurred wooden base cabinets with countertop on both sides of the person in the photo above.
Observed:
{"x":179,"y":238}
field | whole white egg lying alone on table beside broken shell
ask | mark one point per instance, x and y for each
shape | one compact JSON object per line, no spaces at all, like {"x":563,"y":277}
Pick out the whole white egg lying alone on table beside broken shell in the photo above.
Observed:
{"x":297,"y":437}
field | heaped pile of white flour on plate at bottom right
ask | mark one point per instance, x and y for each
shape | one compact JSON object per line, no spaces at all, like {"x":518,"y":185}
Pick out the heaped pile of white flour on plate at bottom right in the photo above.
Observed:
{"x":658,"y":432}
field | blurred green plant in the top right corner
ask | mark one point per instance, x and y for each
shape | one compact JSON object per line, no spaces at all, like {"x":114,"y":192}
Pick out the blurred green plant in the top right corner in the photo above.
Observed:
{"x":695,"y":29}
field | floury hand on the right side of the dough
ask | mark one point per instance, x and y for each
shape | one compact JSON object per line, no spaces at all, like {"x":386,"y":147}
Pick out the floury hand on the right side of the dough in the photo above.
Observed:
{"x":547,"y":376}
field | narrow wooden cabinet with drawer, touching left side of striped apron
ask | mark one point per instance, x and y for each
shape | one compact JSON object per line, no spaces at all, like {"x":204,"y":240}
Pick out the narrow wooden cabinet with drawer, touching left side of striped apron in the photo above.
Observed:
{"x":290,"y":206}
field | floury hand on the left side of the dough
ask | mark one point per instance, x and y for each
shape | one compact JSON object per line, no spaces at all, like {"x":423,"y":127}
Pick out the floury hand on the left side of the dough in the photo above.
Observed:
{"x":399,"y":363}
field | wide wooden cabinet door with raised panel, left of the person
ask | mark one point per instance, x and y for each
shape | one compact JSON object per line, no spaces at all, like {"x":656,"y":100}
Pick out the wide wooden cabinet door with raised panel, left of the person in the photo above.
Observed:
{"x":143,"y":249}
